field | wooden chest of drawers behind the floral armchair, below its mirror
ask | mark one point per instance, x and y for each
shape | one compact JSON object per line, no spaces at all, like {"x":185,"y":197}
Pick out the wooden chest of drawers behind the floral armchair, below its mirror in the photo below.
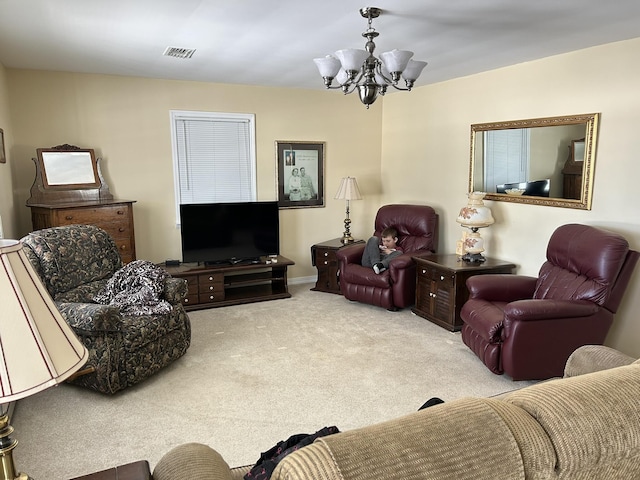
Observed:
{"x":113,"y":216}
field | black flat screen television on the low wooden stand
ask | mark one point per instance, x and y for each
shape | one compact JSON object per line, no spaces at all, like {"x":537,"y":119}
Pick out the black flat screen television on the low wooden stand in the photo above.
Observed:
{"x":233,"y":233}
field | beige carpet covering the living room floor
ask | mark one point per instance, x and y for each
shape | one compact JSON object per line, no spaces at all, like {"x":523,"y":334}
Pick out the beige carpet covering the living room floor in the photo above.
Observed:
{"x":256,"y":374}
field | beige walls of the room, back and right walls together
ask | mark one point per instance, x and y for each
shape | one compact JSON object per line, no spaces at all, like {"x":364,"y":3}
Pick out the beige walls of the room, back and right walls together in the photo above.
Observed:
{"x":410,"y":148}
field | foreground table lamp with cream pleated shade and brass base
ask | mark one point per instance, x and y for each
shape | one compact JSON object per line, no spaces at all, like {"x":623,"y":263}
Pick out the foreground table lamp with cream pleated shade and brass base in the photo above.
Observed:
{"x":38,"y":349}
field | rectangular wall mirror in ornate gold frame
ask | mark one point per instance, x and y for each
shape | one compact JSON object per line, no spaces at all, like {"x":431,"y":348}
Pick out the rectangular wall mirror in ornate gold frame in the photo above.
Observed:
{"x":541,"y":161}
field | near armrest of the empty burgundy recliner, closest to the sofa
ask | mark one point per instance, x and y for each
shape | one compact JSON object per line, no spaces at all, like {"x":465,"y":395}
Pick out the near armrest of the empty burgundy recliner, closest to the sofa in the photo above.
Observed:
{"x":544,"y":309}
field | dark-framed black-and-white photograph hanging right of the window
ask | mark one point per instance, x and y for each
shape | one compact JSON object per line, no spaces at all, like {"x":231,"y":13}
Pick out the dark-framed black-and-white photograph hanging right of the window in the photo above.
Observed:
{"x":300,"y":174}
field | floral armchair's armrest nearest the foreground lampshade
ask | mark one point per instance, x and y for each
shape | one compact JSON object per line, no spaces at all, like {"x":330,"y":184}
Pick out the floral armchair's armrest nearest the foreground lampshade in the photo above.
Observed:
{"x":89,"y":318}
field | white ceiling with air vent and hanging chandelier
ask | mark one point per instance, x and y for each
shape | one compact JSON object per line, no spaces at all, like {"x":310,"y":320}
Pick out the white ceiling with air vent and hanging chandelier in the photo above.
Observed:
{"x":273,"y":42}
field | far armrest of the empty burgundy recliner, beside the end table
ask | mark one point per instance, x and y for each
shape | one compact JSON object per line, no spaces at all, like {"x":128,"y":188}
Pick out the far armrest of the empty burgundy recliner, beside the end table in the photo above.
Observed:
{"x":501,"y":287}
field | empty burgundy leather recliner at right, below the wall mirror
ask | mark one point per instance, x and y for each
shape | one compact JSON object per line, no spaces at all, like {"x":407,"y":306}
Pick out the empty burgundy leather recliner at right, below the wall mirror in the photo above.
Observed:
{"x":527,"y":327}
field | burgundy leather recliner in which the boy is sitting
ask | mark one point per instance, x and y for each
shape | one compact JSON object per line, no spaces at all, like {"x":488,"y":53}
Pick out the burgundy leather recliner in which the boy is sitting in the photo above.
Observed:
{"x":394,"y":288}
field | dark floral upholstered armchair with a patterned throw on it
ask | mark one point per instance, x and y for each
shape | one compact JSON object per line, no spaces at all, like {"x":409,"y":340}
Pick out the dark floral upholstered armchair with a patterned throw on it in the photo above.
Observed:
{"x":76,"y":262}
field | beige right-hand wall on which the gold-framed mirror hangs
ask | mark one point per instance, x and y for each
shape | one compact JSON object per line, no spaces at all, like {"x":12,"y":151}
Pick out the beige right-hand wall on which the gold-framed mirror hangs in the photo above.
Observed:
{"x":425,"y":154}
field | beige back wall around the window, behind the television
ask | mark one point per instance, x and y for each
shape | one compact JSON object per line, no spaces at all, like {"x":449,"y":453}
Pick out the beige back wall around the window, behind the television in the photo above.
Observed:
{"x":126,"y":120}
